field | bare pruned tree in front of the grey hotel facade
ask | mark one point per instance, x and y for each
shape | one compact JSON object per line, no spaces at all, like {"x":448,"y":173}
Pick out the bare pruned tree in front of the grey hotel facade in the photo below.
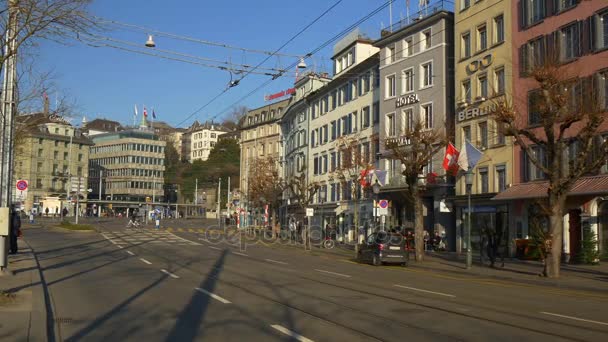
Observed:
{"x":415,"y":150}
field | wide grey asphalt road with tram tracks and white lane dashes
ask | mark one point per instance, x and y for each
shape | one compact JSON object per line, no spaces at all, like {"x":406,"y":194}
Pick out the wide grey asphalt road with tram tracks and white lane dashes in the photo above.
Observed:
{"x":124,"y":284}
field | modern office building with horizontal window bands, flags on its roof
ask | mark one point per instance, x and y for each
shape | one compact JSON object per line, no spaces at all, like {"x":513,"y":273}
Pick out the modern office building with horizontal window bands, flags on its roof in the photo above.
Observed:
{"x":131,"y":165}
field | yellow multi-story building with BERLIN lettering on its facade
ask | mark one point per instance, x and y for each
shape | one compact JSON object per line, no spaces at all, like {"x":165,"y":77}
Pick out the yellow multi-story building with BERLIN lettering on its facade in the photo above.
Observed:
{"x":484,"y":65}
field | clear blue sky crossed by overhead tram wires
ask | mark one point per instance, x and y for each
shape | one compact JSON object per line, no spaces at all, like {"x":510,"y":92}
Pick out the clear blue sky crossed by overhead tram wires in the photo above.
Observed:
{"x":107,"y":82}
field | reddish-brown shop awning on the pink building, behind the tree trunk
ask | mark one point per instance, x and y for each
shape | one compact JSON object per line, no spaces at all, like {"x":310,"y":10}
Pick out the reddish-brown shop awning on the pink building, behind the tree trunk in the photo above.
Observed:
{"x":594,"y":185}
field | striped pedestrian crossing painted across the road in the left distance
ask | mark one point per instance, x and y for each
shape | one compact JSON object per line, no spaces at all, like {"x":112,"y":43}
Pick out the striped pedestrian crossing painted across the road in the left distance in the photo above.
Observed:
{"x":135,"y":236}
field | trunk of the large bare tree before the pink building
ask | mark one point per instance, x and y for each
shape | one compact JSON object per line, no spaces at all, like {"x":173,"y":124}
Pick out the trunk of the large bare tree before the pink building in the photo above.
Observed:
{"x":556,"y":221}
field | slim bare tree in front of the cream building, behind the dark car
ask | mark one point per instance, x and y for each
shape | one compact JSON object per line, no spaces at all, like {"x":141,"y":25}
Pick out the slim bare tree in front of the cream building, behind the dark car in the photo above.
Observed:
{"x":354,"y":166}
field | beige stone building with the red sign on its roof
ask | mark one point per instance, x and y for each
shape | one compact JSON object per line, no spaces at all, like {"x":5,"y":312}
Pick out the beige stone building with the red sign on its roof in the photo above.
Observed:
{"x":260,"y":136}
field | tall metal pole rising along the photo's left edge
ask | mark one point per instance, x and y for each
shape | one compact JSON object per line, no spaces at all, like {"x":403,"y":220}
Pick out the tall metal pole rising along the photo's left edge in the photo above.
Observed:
{"x":8,"y":111}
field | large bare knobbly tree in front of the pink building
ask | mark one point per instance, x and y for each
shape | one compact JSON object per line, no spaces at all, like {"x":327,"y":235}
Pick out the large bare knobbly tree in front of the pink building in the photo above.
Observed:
{"x":563,"y":139}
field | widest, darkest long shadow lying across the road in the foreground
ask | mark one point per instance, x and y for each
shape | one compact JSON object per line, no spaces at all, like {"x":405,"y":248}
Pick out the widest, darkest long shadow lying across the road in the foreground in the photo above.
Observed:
{"x":188,"y":322}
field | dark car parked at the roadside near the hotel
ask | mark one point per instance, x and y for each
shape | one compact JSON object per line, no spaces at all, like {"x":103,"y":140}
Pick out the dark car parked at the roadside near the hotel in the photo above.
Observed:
{"x":382,"y":247}
